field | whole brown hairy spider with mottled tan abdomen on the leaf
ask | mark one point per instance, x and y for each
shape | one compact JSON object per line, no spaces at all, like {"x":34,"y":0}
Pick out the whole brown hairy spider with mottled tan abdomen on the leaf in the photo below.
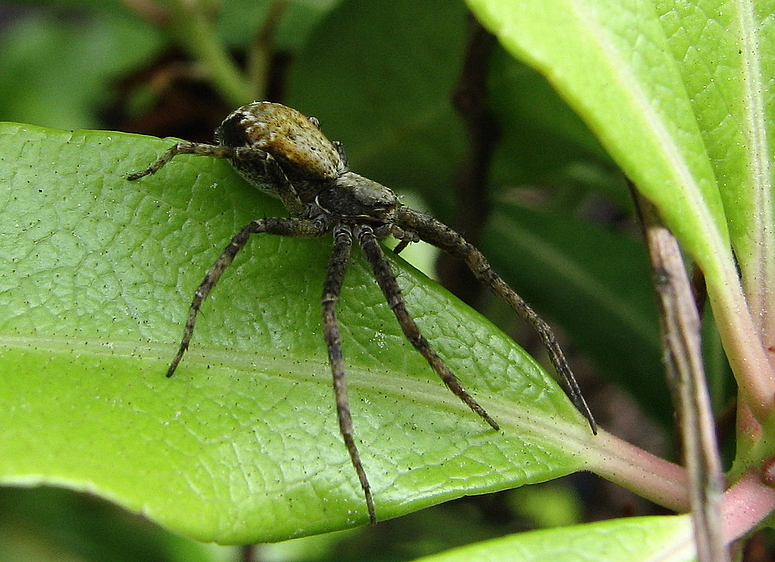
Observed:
{"x":285,"y":154}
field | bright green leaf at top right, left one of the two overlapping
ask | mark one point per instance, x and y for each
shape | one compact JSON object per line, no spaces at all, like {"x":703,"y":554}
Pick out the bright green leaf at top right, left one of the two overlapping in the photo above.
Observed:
{"x":636,"y":104}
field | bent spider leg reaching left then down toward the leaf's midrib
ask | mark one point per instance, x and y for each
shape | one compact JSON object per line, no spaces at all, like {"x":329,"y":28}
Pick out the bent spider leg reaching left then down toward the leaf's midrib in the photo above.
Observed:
{"x":292,"y":227}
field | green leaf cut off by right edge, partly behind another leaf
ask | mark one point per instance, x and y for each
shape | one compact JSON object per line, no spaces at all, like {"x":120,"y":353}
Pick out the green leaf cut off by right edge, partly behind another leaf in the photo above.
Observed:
{"x":723,"y":51}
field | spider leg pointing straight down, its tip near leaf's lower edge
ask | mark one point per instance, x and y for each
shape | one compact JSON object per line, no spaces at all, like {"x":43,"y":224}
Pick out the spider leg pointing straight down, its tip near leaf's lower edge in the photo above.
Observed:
{"x":332,"y":288}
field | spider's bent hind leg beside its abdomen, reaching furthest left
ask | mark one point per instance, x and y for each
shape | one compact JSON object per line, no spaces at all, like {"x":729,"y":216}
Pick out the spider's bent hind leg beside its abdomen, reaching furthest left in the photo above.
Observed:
{"x":280,"y":183}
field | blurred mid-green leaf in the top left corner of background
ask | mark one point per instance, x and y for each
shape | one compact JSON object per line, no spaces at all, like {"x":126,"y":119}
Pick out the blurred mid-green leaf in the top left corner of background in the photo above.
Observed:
{"x":58,"y":68}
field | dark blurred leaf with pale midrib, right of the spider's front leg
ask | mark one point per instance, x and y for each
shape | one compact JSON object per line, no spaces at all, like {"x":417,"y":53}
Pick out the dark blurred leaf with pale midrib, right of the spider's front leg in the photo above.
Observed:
{"x":599,"y":285}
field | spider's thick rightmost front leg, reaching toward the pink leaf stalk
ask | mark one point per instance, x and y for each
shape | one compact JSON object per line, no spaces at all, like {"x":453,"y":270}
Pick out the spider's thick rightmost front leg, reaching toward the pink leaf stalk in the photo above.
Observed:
{"x":440,"y":235}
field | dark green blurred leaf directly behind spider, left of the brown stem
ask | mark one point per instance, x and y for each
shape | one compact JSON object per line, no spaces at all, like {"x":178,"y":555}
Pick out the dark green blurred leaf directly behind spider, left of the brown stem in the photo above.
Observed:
{"x":379,"y":76}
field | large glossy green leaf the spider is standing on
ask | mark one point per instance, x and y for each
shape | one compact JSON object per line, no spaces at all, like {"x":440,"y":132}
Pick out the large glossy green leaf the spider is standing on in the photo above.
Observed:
{"x":242,"y":444}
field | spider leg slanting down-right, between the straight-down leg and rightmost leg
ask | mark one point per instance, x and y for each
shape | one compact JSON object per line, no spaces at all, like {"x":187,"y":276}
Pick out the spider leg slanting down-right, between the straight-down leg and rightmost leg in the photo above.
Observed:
{"x":392,"y":292}
